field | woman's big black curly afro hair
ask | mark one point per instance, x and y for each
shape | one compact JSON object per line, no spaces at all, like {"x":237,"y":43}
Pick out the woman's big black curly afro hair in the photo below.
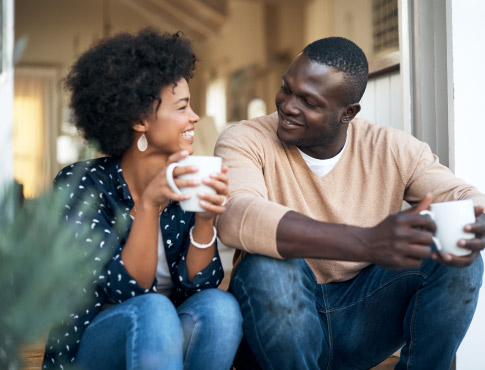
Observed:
{"x":114,"y":84}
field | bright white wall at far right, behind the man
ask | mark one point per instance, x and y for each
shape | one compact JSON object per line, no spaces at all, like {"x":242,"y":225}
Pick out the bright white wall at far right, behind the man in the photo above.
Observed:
{"x":468,"y":136}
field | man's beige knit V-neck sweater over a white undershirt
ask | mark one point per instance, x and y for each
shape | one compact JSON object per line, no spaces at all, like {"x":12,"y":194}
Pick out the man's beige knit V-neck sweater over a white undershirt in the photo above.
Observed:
{"x":379,"y":168}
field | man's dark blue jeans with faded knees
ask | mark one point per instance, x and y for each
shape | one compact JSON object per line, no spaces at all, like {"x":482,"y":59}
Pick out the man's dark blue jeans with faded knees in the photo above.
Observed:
{"x":291,"y":322}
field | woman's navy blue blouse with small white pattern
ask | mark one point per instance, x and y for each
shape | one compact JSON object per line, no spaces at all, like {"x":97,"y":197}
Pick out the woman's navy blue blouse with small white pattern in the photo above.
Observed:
{"x":99,"y":184}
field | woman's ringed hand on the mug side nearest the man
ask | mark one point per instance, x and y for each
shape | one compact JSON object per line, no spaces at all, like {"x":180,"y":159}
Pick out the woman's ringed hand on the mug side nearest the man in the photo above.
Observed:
{"x":214,"y":203}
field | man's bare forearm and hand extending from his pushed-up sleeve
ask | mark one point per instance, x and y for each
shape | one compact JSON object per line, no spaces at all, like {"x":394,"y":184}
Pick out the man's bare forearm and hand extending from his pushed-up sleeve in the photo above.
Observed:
{"x":401,"y":240}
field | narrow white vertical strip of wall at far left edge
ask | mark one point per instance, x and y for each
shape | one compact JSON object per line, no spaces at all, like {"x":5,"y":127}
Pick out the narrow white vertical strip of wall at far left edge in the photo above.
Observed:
{"x":6,"y":101}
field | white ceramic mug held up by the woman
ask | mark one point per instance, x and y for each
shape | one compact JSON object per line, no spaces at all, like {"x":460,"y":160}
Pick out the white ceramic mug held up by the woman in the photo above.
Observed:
{"x":207,"y":165}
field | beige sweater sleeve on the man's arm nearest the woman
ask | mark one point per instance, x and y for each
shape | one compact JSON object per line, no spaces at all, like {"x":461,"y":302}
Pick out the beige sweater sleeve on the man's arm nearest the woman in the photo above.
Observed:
{"x":251,"y":219}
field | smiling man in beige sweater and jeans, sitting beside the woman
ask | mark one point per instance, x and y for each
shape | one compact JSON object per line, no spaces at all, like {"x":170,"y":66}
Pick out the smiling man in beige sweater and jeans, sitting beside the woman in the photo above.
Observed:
{"x":335,"y":276}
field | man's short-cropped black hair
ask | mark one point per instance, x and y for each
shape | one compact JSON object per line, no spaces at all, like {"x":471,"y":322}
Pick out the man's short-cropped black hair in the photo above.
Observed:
{"x":345,"y":56}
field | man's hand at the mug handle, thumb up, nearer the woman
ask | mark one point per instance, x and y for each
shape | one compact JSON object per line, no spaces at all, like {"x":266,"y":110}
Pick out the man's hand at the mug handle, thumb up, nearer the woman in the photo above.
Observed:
{"x":402,"y":240}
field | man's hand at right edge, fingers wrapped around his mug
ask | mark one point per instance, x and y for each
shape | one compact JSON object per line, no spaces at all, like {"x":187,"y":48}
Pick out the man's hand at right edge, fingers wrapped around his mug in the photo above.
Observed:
{"x":476,"y":245}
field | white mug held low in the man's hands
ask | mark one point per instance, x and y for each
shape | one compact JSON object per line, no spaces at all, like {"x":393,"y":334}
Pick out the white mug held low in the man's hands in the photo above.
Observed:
{"x":450,"y":219}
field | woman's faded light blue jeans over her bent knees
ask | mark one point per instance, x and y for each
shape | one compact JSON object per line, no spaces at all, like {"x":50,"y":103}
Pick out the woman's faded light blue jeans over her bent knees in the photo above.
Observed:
{"x":148,"y":332}
